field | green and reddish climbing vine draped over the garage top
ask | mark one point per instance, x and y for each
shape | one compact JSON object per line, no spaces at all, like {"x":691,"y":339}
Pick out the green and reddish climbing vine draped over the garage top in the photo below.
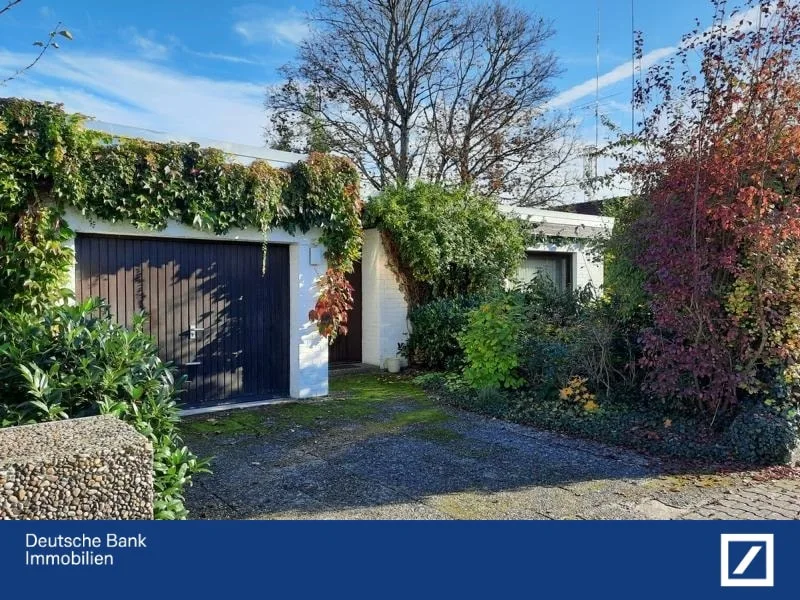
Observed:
{"x":49,"y":161}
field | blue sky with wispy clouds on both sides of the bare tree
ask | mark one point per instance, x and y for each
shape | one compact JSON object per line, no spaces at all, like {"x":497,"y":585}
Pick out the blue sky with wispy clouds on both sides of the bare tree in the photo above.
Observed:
{"x":200,"y":68}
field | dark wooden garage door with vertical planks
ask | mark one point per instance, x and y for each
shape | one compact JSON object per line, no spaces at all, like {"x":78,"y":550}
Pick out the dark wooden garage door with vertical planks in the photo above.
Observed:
{"x":212,"y":312}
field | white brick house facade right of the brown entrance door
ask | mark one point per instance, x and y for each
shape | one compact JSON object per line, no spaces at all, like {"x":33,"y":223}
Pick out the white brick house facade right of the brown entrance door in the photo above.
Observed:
{"x":385,"y":310}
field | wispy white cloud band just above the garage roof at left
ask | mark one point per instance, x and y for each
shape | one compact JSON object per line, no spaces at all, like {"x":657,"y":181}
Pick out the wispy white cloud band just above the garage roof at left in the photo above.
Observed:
{"x":143,"y":94}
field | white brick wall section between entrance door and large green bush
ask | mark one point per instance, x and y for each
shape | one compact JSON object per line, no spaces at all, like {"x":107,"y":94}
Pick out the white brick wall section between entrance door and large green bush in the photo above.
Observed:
{"x":385,"y":311}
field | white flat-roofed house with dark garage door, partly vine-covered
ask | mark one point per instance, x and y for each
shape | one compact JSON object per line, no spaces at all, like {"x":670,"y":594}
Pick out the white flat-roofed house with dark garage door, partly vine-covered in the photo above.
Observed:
{"x":242,"y":335}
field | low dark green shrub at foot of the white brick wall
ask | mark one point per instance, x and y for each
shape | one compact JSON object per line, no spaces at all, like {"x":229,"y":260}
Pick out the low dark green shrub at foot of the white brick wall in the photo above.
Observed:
{"x":435,"y":327}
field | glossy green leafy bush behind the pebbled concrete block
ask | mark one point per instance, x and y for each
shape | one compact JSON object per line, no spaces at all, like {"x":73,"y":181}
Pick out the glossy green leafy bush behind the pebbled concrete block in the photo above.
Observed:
{"x":74,"y":361}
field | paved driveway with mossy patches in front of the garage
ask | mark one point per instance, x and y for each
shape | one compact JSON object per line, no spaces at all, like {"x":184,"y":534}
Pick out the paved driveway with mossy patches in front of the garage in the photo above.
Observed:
{"x":406,"y":458}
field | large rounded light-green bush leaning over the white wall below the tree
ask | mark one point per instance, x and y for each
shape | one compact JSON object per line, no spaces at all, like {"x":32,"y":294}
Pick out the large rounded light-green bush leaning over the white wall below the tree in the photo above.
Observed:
{"x":447,"y":242}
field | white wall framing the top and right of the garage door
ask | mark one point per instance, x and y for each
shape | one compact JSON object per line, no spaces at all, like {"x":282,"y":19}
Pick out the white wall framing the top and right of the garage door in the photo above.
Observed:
{"x":308,"y":351}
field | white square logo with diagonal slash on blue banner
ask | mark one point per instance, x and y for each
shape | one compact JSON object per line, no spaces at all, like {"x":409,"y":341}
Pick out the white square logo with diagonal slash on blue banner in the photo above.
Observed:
{"x":756,"y":568}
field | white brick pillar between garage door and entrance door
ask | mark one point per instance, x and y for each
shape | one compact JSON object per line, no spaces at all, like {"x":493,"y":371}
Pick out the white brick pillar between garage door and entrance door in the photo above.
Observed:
{"x":308,"y":350}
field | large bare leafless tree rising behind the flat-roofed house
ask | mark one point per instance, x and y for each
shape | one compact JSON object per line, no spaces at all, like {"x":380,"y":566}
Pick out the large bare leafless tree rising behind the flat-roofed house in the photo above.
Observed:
{"x":445,"y":91}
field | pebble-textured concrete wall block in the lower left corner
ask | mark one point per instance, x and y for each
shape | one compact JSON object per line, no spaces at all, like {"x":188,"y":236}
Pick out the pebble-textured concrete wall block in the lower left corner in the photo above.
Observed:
{"x":91,"y":468}
